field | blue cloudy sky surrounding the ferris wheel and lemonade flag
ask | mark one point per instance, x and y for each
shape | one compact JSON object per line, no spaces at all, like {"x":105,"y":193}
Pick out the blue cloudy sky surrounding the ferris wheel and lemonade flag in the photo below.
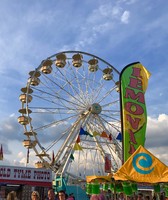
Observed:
{"x":118,"y":31}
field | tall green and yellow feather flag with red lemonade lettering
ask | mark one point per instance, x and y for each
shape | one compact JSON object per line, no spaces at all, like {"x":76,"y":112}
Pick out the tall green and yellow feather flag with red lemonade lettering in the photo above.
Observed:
{"x":133,"y":84}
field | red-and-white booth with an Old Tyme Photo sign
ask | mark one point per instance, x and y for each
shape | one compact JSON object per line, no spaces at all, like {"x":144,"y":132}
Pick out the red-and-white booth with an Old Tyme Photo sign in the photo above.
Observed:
{"x":24,"y":180}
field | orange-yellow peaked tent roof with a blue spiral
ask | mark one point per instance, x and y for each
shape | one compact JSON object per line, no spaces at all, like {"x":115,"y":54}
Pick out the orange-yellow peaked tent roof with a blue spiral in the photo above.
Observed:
{"x":142,"y":166}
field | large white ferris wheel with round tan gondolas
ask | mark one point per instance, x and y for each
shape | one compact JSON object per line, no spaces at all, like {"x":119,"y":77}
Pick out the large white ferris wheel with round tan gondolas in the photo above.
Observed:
{"x":70,"y":111}
